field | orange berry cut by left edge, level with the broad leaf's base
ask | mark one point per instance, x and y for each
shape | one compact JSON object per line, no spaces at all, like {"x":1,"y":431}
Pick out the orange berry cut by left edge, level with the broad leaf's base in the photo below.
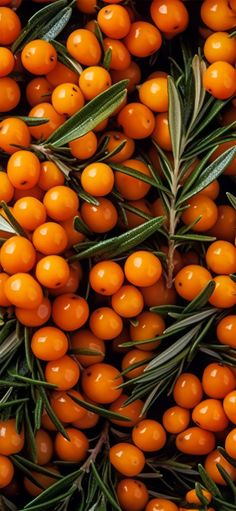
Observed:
{"x":13,"y":132}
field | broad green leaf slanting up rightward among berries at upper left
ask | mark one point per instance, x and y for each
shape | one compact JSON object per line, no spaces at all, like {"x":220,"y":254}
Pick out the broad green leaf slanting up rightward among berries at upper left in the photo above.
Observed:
{"x":94,"y":112}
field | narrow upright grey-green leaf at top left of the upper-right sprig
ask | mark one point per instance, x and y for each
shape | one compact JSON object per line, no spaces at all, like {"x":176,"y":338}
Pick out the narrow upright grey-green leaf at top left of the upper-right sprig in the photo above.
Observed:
{"x":175,"y":118}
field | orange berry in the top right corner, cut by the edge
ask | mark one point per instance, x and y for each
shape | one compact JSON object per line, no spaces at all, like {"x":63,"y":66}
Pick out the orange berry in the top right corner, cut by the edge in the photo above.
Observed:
{"x":218,"y":15}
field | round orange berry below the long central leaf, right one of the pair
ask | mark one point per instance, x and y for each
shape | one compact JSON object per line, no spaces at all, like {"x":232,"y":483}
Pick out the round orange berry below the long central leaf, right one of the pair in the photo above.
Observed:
{"x":142,"y":268}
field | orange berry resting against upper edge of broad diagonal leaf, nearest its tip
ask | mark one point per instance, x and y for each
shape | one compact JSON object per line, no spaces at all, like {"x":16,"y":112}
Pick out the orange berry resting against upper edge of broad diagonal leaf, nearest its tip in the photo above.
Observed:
{"x":94,"y":80}
